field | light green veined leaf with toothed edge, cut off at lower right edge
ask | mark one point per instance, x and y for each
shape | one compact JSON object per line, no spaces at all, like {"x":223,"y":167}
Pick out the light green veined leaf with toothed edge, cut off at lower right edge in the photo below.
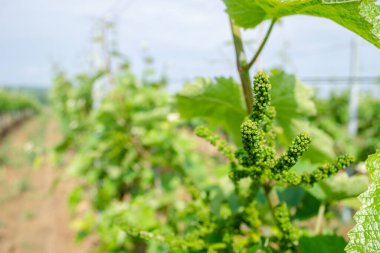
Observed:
{"x":365,"y":236}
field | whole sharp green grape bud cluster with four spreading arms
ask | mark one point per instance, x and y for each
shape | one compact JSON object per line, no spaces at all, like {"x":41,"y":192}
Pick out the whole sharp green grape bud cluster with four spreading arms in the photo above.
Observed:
{"x":257,"y":159}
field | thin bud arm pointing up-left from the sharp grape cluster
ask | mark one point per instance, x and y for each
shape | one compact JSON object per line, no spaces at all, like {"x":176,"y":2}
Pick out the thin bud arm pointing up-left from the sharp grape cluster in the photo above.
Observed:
{"x":215,"y":140}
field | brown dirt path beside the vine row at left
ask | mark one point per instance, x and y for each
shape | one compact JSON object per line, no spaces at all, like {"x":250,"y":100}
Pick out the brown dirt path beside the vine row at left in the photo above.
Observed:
{"x":33,"y":217}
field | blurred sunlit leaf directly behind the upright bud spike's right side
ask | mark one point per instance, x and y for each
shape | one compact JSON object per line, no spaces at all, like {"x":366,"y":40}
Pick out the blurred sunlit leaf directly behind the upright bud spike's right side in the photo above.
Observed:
{"x":293,"y":101}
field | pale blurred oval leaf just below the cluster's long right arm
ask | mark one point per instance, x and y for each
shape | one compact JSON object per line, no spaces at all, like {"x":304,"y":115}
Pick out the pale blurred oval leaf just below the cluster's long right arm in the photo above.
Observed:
{"x":340,"y":187}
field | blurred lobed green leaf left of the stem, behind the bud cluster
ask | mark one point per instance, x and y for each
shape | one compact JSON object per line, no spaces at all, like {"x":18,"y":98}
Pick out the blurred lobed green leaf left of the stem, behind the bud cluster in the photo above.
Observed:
{"x":218,"y":101}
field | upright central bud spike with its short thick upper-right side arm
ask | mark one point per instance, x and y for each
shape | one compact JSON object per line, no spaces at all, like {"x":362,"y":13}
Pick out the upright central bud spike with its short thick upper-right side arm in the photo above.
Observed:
{"x":258,"y":155}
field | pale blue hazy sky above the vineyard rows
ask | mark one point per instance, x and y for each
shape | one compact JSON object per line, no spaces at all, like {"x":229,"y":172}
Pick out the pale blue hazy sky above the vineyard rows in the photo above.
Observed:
{"x":187,"y":38}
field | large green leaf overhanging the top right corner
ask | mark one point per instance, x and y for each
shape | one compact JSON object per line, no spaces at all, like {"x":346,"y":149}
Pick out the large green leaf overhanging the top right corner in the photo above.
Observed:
{"x":361,"y":17}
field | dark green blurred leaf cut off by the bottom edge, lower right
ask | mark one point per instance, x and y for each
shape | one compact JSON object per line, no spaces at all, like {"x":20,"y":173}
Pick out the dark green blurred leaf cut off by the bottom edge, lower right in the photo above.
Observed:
{"x":322,"y":244}
